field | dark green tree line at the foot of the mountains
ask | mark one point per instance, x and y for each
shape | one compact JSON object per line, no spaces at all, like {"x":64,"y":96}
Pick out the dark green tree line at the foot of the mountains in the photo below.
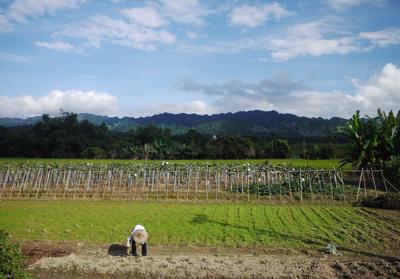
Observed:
{"x":66,"y":137}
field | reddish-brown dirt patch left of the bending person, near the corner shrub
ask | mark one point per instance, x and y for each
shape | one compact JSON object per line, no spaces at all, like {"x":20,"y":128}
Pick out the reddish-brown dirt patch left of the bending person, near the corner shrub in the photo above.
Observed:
{"x":36,"y":250}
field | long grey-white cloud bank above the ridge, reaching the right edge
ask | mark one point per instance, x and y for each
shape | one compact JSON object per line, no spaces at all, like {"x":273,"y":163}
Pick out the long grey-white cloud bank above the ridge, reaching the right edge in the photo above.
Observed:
{"x":285,"y":95}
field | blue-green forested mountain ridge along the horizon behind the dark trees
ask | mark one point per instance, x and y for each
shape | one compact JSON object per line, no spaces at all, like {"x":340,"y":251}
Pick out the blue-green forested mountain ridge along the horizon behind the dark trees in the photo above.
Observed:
{"x":249,"y":123}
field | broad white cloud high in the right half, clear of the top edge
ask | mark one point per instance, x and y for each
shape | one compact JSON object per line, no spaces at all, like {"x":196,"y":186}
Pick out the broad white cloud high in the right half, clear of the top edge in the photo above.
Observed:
{"x":309,"y":39}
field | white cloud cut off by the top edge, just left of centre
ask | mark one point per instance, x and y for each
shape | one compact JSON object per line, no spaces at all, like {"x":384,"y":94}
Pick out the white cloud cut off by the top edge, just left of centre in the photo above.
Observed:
{"x":184,"y":11}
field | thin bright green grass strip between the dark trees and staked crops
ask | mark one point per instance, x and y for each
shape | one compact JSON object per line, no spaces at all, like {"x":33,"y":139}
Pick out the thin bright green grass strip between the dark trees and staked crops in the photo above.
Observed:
{"x":318,"y":164}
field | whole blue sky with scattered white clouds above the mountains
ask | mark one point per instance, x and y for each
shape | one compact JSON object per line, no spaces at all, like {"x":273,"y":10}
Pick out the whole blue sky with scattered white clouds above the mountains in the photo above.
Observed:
{"x":321,"y":58}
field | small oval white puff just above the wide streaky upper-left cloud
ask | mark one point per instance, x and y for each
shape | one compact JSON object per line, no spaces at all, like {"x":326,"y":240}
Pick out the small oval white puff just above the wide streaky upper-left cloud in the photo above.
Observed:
{"x":146,"y":16}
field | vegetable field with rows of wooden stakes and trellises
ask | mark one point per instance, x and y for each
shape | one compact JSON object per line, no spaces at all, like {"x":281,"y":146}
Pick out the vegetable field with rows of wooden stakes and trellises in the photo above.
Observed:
{"x":187,"y":182}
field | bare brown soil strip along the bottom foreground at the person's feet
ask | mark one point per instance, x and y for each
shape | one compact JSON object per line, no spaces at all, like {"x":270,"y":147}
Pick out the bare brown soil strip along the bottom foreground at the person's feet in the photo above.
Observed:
{"x":63,"y":260}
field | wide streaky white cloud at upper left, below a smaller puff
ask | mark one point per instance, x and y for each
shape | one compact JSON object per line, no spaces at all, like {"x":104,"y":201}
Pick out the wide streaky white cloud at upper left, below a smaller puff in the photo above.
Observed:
{"x":119,"y":32}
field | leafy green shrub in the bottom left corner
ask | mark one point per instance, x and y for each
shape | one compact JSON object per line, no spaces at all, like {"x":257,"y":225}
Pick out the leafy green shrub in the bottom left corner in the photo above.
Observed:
{"x":11,"y":259}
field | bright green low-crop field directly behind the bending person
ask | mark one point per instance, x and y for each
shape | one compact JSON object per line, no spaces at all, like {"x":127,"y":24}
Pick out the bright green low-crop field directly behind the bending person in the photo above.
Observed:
{"x":228,"y":225}
